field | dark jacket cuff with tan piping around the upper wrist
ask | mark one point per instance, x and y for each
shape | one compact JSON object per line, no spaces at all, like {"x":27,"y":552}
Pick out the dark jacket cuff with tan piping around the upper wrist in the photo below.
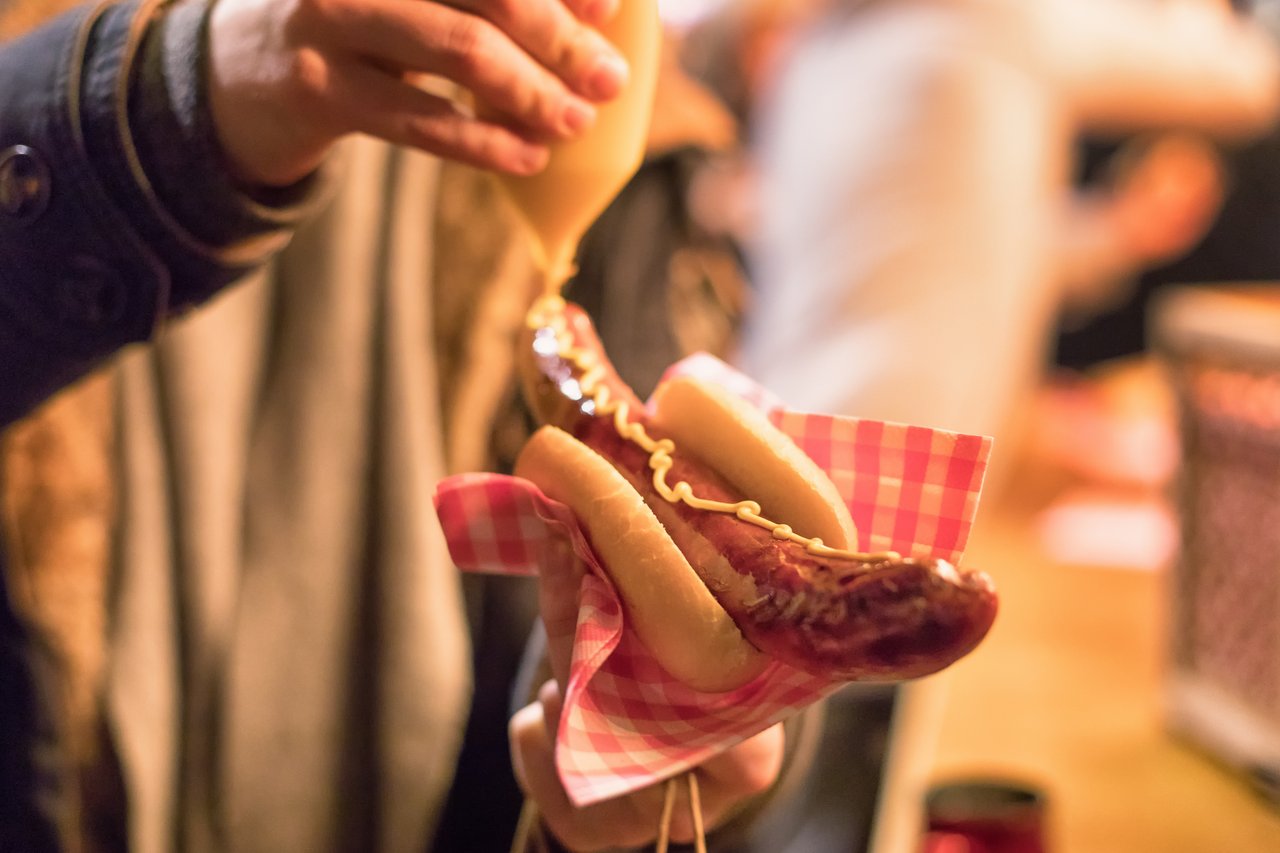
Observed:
{"x":149,"y":134}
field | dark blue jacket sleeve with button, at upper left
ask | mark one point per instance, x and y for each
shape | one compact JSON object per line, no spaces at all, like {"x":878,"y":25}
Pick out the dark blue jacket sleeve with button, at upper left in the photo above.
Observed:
{"x":116,"y":211}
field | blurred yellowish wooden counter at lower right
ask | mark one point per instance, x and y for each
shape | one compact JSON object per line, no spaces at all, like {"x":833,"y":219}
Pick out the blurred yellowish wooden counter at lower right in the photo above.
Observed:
{"x":1067,"y":692}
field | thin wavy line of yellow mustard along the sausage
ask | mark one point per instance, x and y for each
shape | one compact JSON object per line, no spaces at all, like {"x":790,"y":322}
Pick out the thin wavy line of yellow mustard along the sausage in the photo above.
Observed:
{"x":548,"y":312}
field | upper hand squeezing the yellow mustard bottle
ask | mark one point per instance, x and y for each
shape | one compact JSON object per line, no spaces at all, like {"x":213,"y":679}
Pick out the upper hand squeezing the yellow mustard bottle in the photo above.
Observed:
{"x":289,"y":79}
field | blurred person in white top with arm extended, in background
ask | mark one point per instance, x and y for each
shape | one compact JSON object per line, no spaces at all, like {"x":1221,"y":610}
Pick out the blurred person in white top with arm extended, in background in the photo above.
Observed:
{"x":917,"y":229}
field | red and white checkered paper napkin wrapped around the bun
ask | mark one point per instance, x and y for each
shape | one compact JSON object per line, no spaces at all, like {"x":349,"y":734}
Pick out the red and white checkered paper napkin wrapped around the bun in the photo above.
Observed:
{"x":627,"y":723}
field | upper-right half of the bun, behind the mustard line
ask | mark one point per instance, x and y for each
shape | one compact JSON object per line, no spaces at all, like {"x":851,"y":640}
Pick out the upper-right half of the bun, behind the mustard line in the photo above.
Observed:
{"x":743,"y":446}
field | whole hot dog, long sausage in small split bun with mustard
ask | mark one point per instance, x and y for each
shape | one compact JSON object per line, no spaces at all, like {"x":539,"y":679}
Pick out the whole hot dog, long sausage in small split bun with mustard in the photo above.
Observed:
{"x":696,"y":509}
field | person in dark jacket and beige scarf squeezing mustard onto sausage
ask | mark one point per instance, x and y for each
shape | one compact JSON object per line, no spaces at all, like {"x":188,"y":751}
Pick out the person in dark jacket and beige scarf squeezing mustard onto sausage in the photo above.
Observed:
{"x":227,"y":621}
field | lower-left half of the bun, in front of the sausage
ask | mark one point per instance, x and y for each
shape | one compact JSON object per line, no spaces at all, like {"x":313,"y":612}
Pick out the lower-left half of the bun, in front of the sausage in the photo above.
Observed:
{"x":668,"y":605}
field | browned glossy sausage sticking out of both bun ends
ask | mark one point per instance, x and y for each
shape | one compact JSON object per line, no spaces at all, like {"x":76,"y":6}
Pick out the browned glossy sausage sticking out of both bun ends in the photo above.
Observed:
{"x":877,"y":619}
